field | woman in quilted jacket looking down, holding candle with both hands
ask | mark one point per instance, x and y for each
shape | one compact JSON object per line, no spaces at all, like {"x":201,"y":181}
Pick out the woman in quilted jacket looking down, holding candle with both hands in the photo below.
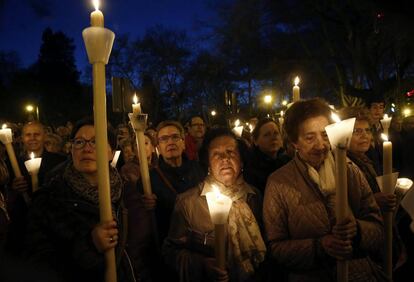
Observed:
{"x":299,"y":206}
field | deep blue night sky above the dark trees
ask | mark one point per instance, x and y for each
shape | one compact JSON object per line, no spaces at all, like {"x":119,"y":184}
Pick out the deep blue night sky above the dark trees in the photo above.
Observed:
{"x":23,"y":21}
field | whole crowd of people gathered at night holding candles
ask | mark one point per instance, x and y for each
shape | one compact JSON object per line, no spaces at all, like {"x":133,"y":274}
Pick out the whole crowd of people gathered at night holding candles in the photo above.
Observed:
{"x":281,"y":180}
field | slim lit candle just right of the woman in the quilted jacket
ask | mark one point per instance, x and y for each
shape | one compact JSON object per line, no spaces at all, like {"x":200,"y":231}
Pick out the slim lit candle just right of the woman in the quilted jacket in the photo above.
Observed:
{"x":387,"y":188}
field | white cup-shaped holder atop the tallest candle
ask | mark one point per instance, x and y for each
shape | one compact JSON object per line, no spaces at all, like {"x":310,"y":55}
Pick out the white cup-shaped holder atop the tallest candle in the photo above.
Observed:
{"x":98,"y":43}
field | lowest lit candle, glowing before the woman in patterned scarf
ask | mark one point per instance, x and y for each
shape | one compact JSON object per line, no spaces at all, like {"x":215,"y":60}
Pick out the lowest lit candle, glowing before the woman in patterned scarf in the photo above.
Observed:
{"x":219,"y":207}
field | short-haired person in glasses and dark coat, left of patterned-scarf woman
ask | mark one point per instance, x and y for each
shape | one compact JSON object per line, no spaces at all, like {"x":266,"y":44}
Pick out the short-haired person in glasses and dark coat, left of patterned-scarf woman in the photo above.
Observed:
{"x":174,"y":175}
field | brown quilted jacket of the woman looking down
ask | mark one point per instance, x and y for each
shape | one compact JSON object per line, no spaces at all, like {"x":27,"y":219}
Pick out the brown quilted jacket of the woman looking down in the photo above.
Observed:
{"x":296,"y":217}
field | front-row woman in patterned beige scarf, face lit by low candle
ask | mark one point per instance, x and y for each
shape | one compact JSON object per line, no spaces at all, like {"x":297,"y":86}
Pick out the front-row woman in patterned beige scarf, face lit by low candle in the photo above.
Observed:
{"x":188,"y":247}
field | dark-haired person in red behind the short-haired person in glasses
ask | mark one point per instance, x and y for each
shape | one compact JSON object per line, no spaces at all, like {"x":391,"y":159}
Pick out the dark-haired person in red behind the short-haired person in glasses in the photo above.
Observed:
{"x":194,"y":137}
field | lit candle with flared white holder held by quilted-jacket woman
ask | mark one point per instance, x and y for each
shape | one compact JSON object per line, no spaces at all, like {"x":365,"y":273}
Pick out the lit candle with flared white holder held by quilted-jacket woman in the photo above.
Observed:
{"x":339,"y":134}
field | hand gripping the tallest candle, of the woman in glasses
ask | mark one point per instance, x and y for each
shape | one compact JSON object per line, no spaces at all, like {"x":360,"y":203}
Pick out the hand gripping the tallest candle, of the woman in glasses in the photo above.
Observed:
{"x":105,"y":236}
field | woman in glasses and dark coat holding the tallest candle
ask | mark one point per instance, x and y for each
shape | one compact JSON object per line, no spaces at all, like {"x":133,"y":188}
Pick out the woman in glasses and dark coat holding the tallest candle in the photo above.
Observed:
{"x":64,"y":234}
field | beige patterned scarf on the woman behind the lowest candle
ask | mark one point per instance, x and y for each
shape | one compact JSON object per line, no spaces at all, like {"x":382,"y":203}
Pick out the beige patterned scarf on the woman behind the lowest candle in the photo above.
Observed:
{"x":246,"y":246}
